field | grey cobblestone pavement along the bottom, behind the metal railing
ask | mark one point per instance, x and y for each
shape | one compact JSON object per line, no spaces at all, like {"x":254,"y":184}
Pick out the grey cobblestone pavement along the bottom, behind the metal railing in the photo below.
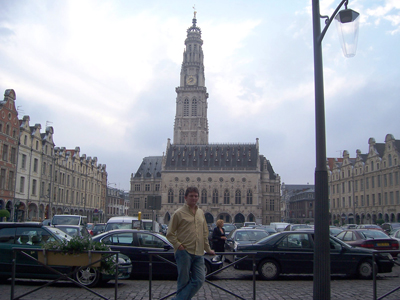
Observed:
{"x":239,"y":282}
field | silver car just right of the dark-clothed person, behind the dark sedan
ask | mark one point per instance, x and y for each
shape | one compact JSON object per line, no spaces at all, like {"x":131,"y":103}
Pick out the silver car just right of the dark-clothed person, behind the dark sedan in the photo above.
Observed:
{"x":242,"y":236}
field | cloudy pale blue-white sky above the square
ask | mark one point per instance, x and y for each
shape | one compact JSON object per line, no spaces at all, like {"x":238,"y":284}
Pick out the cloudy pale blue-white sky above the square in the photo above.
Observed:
{"x":103,"y":73}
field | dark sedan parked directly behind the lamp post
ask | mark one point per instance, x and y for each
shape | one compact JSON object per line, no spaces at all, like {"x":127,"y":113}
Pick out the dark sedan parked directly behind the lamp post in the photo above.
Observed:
{"x":292,"y":252}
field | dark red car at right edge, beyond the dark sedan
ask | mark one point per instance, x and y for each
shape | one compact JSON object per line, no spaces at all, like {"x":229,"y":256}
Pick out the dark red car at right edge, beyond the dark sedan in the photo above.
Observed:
{"x":369,"y":238}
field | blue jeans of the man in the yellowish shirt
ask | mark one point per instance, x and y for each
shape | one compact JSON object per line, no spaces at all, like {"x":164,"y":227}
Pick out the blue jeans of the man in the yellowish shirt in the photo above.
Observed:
{"x":191,"y":274}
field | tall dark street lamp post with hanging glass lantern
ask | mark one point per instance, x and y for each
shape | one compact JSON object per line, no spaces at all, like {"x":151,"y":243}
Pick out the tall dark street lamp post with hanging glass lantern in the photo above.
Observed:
{"x":321,"y":288}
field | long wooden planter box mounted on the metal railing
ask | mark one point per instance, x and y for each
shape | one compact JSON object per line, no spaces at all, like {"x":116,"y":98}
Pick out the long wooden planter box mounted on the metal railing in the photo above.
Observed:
{"x":74,"y":260}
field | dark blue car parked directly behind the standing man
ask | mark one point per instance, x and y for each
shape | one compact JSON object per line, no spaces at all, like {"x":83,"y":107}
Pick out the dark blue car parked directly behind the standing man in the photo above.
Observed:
{"x":136,"y":244}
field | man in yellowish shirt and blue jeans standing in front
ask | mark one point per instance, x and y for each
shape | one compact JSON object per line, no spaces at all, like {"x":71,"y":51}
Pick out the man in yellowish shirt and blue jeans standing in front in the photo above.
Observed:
{"x":188,"y":233}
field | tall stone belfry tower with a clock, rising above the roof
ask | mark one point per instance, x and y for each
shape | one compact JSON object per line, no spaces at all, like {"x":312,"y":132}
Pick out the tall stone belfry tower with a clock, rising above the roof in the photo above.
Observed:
{"x":191,"y":123}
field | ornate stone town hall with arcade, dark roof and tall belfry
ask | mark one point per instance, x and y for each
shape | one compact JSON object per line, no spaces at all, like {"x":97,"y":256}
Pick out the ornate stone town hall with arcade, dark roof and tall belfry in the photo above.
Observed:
{"x":236,"y":183}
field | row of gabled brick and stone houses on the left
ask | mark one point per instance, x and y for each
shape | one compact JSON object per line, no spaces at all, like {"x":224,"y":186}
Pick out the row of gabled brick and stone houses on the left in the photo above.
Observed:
{"x":37,"y":179}
